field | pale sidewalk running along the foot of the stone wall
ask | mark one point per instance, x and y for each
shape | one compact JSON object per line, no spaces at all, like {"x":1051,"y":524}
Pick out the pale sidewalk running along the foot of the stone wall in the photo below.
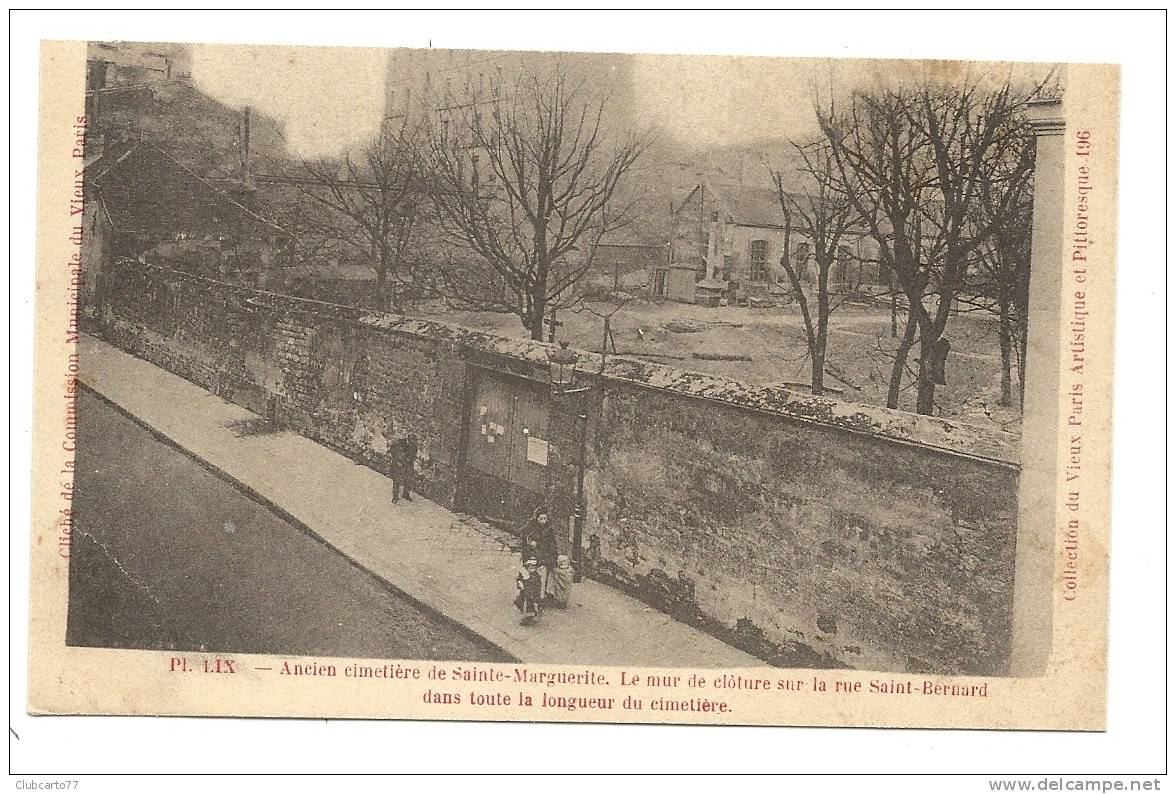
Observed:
{"x":455,"y":565}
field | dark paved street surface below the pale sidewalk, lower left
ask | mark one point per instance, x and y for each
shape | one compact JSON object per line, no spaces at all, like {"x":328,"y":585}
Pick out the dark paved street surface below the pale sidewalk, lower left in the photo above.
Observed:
{"x":169,"y":556}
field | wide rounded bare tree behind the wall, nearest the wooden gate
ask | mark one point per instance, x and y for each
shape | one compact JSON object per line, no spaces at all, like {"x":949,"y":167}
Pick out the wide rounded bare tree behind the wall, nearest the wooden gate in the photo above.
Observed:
{"x":529,"y":184}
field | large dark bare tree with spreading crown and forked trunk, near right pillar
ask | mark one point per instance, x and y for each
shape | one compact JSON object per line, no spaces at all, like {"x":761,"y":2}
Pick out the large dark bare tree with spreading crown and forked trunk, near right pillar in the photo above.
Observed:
{"x":911,"y":162}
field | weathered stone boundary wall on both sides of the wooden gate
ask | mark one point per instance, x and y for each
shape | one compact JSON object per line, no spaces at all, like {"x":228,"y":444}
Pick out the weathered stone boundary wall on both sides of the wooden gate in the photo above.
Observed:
{"x":812,"y":532}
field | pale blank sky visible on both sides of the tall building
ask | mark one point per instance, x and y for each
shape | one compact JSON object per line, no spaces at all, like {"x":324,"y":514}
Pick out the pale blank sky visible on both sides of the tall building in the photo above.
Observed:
{"x":332,"y":99}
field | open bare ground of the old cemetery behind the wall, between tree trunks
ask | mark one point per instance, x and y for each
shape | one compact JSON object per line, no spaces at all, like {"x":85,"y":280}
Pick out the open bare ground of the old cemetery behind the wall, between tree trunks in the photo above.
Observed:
{"x":860,"y":355}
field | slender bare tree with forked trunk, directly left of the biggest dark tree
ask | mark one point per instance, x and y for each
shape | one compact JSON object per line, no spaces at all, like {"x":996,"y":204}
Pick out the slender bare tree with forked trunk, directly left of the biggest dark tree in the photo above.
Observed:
{"x":825,"y":216}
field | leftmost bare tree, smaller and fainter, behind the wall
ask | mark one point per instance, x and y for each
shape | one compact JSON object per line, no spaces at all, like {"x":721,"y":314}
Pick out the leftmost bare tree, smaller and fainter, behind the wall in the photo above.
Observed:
{"x":376,"y":202}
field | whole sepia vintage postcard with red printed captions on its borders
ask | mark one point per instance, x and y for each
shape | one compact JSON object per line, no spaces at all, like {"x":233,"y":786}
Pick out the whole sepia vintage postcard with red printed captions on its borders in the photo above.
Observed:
{"x":480,"y":385}
